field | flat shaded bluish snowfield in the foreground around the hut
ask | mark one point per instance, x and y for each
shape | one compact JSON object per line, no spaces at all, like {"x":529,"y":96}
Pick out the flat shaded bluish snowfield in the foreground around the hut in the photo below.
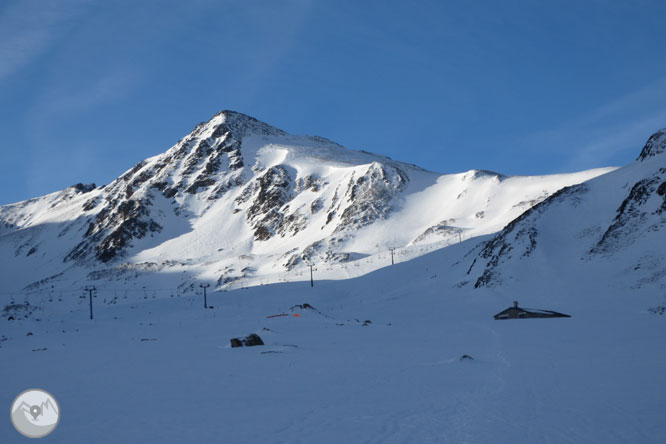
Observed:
{"x":162,"y":371}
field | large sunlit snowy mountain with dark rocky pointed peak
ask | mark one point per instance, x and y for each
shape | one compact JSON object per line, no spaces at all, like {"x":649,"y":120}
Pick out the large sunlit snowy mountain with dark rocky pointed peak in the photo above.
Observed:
{"x":238,"y":202}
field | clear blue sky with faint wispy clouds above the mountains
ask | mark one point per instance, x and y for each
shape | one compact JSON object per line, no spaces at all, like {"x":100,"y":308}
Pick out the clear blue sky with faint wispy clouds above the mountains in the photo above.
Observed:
{"x":89,"y":88}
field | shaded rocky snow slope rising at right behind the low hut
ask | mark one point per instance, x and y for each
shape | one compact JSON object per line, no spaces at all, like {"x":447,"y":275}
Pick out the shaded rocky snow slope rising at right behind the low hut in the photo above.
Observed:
{"x":608,"y":229}
